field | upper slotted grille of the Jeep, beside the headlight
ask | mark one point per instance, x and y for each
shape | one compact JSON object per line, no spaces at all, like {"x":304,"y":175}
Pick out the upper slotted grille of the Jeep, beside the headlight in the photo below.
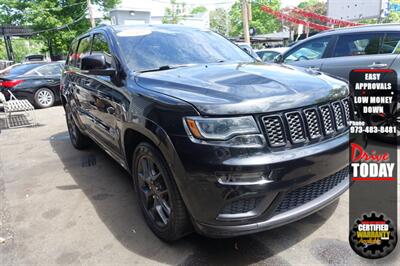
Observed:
{"x":308,"y":124}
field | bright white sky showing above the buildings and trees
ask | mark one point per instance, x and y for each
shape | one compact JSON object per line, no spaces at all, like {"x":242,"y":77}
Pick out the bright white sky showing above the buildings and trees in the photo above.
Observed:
{"x":157,"y":7}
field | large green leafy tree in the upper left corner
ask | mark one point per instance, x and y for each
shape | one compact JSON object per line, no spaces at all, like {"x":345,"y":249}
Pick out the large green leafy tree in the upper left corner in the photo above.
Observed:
{"x":56,"y":22}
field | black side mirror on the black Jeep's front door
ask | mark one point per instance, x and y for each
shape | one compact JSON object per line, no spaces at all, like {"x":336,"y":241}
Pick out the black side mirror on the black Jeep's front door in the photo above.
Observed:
{"x":96,"y":64}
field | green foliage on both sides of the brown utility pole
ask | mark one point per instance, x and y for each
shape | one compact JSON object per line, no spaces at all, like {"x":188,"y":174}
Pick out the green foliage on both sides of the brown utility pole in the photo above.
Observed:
{"x":263,"y":22}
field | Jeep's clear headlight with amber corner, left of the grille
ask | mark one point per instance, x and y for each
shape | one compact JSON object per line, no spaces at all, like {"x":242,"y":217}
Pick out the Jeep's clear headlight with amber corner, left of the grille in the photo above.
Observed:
{"x":220,"y":128}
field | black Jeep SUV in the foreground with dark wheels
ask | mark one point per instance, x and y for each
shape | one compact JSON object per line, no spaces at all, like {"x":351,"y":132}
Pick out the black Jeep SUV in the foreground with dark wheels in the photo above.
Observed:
{"x":214,"y":140}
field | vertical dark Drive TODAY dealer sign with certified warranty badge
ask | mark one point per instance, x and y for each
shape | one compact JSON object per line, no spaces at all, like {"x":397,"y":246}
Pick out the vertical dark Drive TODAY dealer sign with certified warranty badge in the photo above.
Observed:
{"x":373,"y":162}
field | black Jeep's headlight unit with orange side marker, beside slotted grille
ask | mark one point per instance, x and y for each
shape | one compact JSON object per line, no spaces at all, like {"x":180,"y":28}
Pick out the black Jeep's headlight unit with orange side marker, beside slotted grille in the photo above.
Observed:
{"x":227,"y":131}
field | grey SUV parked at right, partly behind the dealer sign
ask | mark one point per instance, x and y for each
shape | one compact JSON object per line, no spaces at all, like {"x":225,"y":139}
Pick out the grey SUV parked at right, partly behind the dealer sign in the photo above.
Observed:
{"x":339,"y":51}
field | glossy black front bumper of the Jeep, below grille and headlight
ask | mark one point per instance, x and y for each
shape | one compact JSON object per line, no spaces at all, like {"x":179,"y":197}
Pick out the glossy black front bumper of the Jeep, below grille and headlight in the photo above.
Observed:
{"x":223,"y":209}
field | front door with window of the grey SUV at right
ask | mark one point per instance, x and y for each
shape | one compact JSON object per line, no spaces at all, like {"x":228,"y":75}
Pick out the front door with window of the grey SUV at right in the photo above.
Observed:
{"x":309,"y":53}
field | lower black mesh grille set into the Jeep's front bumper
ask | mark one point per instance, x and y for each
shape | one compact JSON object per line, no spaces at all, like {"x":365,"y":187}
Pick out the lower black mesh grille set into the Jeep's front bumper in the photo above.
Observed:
{"x":309,"y":192}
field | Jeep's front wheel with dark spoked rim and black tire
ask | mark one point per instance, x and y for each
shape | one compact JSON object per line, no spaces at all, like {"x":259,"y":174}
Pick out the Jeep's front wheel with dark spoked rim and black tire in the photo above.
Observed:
{"x":157,"y":193}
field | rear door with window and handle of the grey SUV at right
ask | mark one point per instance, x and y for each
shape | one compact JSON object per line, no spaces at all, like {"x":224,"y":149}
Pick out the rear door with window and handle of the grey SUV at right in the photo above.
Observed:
{"x":361,"y":50}
